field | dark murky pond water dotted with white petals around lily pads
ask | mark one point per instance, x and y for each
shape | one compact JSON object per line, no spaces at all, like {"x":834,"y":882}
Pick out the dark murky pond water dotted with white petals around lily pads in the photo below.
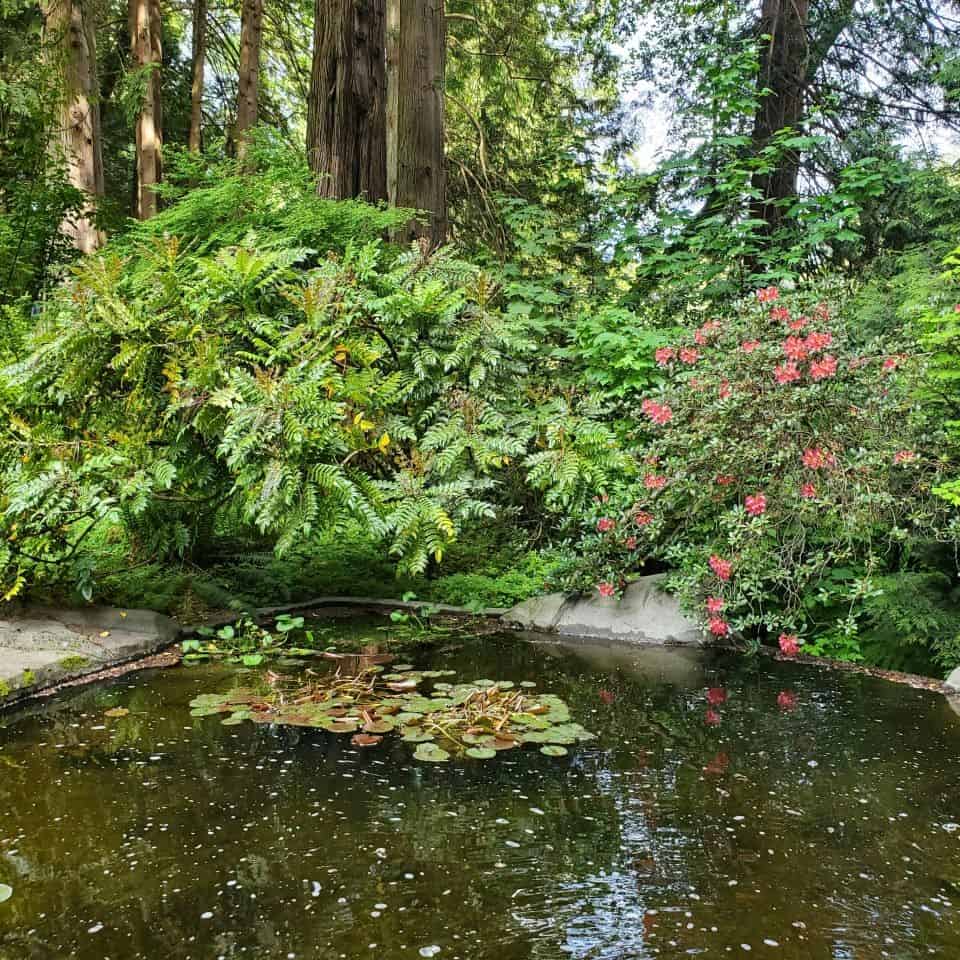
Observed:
{"x":810,"y":815}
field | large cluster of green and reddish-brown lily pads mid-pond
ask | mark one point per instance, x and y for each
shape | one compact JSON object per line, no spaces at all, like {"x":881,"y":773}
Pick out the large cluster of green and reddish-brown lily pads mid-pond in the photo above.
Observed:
{"x":441,"y":719}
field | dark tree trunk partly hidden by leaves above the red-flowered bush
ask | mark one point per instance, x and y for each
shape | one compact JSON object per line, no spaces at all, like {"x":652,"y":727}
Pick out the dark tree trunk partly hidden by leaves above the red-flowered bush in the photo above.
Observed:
{"x":784,"y":72}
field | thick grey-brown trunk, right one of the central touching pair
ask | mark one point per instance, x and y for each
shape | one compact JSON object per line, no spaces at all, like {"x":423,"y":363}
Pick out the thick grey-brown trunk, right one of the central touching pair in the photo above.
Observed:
{"x":416,"y":61}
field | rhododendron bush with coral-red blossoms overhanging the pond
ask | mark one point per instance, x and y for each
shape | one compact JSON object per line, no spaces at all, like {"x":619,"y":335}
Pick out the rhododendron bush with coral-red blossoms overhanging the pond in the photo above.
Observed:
{"x":774,"y":454}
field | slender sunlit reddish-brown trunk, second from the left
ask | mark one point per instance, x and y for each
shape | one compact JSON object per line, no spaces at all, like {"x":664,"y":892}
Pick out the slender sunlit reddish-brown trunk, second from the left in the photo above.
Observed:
{"x":147,"y":55}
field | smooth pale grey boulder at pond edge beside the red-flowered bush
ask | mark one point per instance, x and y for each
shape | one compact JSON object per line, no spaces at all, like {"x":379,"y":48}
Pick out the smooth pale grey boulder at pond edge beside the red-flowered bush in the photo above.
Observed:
{"x":645,"y":614}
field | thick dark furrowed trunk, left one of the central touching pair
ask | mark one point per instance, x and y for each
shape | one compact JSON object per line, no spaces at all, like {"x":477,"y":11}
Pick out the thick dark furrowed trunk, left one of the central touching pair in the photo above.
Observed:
{"x":346,"y":111}
